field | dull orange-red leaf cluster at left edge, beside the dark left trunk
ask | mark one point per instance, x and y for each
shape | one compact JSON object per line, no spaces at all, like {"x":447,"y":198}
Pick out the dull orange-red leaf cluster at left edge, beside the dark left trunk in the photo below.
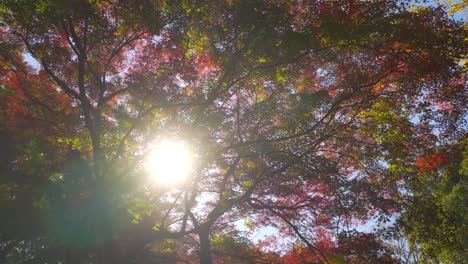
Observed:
{"x":29,"y":103}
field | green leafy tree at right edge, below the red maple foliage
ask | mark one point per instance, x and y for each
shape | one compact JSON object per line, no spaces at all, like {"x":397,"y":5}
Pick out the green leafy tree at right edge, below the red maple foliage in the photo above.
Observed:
{"x":436,"y":219}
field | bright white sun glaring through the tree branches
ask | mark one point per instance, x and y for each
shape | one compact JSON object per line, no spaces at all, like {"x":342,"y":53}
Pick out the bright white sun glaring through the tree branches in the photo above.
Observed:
{"x":169,"y":162}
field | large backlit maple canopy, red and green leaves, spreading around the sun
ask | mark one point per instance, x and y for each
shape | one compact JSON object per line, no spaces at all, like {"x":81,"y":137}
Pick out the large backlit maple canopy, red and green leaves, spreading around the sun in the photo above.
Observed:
{"x":300,"y":111}
